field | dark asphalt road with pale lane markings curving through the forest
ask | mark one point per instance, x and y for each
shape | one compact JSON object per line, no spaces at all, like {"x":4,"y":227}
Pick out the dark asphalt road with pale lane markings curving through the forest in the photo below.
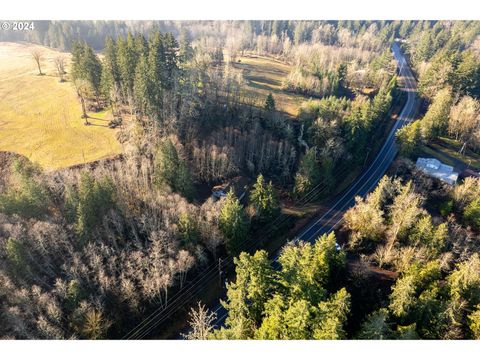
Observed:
{"x":369,"y":179}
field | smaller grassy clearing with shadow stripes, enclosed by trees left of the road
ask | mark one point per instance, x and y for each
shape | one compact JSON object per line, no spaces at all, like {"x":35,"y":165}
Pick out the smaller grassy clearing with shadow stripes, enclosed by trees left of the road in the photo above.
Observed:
{"x":265,"y":75}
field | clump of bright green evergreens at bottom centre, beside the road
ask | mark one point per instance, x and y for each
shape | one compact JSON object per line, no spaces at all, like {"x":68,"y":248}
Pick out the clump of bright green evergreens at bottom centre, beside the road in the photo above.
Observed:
{"x":290,"y":303}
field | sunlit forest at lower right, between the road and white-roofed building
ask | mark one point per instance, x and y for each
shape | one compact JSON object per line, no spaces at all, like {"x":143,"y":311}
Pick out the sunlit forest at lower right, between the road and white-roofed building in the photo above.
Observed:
{"x":430,"y":262}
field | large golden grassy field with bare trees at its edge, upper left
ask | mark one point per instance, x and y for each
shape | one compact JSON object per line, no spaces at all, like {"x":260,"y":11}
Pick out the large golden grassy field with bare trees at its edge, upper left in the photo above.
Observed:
{"x":40,"y":117}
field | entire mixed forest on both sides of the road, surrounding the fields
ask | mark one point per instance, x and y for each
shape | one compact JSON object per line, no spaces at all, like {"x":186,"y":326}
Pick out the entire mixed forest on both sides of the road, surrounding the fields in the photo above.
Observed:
{"x":90,"y":251}
